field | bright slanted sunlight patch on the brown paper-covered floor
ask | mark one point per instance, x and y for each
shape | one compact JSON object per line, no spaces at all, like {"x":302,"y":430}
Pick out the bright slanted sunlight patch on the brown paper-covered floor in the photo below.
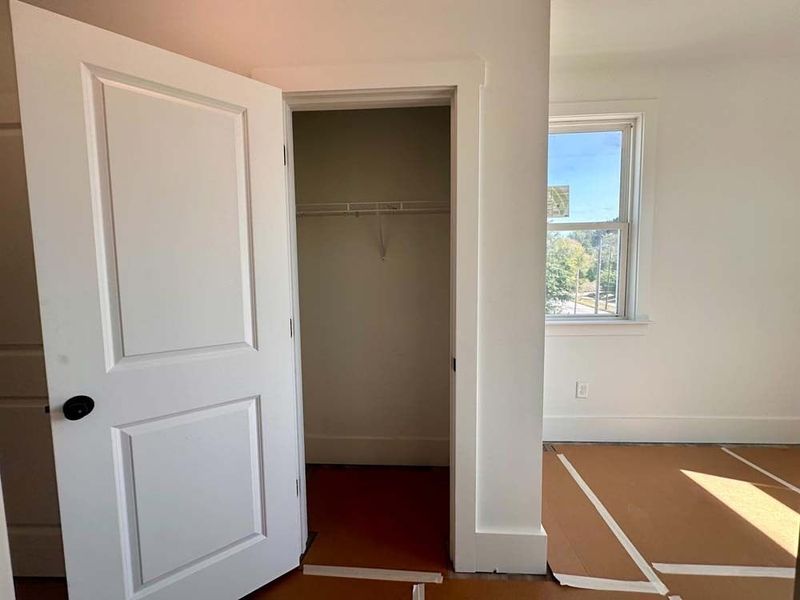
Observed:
{"x":770,"y":516}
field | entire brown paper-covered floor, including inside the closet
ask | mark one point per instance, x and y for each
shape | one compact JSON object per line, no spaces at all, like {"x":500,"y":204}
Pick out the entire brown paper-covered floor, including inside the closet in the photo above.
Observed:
{"x":674,"y":504}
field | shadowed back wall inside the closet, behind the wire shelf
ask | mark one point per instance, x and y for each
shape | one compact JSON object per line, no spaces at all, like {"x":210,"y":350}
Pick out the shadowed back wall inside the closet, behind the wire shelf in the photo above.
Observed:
{"x":375,"y":333}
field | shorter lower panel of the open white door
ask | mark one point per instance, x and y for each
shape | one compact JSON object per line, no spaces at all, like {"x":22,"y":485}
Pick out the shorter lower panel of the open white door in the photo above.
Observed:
{"x":165,"y":495}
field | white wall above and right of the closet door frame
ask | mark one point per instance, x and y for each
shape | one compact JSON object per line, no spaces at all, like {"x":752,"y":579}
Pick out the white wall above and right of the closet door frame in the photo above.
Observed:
{"x":512,"y":38}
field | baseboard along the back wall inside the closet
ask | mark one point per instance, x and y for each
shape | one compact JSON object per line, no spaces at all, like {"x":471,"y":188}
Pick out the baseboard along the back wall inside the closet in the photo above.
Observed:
{"x":357,"y":450}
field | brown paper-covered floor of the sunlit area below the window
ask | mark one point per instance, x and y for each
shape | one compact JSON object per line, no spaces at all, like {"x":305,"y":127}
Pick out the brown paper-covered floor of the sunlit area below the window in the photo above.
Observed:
{"x":676,"y":505}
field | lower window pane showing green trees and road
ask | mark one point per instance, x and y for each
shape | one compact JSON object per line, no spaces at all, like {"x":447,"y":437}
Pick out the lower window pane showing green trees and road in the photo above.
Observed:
{"x":574,"y":260}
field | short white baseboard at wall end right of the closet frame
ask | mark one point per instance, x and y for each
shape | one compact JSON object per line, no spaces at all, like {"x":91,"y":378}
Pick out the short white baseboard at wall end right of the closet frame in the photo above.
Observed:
{"x":500,"y":552}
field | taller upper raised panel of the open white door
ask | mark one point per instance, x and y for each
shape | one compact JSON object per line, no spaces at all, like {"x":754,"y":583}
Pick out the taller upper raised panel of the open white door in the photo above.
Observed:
{"x":172,"y":218}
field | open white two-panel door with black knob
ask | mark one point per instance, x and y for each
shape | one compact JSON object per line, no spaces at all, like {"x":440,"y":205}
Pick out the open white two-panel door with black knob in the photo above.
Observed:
{"x":157,"y":192}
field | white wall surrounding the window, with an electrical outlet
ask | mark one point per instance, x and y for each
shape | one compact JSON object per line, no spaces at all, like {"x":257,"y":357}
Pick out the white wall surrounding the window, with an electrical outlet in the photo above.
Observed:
{"x":720,"y":361}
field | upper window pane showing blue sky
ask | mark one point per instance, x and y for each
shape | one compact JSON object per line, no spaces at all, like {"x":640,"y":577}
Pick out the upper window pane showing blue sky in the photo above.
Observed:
{"x":583,"y":176}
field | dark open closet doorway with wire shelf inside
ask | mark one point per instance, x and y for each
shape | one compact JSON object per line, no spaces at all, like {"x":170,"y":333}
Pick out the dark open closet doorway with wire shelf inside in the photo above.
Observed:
{"x":372,"y":195}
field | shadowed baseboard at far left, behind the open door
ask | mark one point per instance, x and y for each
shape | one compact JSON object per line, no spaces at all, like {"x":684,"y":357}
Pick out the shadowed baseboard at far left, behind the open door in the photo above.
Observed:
{"x":36,"y":551}
